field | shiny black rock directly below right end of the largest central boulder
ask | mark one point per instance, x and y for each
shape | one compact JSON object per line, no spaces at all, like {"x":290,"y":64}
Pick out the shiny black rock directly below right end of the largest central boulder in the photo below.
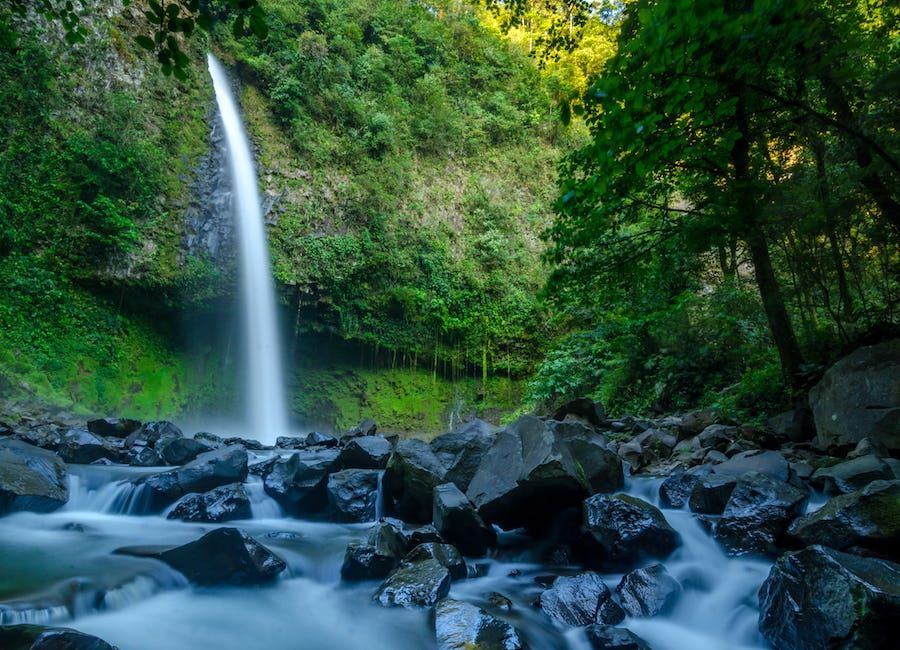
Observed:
{"x":622,"y":529}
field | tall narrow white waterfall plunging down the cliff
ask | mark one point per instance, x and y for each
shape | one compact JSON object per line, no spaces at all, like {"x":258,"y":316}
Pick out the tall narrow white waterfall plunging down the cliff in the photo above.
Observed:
{"x":266,"y":406}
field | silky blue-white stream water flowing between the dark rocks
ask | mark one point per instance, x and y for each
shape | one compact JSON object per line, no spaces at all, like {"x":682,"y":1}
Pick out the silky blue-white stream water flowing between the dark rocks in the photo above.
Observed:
{"x":60,"y":569}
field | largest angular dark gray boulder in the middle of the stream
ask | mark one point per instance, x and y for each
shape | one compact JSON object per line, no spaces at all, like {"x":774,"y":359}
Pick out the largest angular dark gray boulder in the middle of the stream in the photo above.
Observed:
{"x":530,"y":474}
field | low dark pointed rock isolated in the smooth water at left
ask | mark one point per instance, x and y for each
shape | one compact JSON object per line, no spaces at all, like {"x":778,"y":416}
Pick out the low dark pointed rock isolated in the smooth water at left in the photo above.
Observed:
{"x":224,"y":556}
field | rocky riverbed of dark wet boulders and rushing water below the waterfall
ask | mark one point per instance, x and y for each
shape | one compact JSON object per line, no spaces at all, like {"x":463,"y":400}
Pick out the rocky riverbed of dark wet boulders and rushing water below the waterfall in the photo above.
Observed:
{"x":572,"y":530}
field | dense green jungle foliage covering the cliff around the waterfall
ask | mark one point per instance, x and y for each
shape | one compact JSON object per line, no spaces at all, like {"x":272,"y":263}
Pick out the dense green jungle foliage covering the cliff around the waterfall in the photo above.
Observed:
{"x":475,"y":207}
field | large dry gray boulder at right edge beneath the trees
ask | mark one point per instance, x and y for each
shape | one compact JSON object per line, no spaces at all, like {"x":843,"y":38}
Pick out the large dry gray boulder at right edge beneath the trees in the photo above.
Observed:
{"x":859,"y":396}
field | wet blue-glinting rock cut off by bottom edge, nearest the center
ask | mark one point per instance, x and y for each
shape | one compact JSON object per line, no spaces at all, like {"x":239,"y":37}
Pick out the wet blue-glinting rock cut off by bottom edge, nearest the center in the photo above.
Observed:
{"x":462,"y":626}
